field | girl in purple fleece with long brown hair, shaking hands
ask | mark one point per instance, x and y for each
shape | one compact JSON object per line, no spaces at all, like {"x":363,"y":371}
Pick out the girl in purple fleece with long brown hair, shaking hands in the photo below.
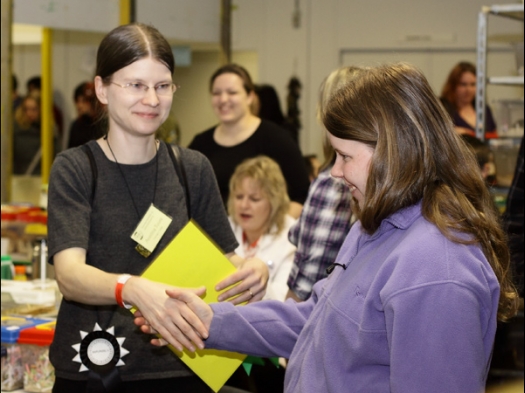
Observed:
{"x":412,"y":302}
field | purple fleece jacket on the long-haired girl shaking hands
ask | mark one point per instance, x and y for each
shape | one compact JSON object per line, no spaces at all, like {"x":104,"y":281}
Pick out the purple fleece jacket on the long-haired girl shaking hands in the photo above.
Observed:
{"x":411,"y":312}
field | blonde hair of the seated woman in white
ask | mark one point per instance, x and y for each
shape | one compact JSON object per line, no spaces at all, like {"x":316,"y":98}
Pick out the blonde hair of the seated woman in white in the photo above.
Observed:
{"x":268,"y":175}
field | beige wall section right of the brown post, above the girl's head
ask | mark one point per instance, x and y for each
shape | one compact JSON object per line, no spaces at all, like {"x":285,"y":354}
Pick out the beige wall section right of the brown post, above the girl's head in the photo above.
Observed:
{"x":339,"y":32}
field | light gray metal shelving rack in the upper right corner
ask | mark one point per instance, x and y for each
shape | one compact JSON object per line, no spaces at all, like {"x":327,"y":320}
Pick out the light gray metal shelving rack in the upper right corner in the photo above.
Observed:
{"x":512,"y":11}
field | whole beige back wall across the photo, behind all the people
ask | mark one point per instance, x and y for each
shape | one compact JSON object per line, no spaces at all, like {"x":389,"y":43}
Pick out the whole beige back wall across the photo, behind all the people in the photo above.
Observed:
{"x":278,"y":39}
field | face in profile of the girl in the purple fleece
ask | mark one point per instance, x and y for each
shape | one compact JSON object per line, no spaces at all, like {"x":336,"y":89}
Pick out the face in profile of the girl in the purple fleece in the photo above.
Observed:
{"x":352,"y":165}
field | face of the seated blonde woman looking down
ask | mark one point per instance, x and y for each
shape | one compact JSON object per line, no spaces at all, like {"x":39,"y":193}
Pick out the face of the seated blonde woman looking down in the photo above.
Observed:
{"x":252,"y":207}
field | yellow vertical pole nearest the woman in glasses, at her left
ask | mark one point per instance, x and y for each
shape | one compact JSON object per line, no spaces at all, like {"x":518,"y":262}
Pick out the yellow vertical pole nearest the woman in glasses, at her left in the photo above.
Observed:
{"x":47,"y":104}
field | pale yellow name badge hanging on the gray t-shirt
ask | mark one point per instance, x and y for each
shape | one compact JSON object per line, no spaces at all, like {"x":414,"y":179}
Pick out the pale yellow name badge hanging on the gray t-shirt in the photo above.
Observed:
{"x":150,"y":230}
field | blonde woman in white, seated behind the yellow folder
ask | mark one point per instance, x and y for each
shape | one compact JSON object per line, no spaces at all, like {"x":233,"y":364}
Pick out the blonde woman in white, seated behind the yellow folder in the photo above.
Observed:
{"x":257,"y":205}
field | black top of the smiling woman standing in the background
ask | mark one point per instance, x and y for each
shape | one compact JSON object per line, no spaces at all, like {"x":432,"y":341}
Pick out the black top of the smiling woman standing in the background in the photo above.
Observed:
{"x":269,"y":139}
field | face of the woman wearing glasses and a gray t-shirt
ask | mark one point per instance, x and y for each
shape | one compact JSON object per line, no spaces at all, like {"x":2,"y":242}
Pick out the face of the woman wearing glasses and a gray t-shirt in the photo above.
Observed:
{"x":137,"y":115}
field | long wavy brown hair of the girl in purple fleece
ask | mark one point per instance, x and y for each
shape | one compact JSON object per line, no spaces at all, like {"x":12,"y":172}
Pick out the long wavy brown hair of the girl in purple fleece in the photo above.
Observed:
{"x":419,"y":157}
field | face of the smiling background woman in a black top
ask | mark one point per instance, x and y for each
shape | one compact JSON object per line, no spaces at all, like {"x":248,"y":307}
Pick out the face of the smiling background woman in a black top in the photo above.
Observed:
{"x":230,"y":101}
